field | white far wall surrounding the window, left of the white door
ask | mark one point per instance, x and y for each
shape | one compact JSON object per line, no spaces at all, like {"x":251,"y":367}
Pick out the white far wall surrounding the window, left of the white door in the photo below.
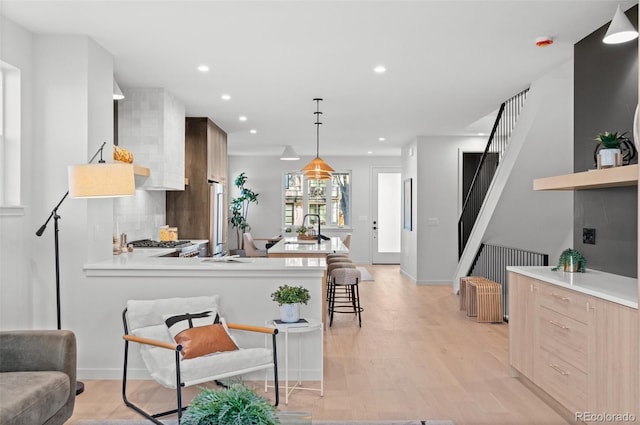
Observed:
{"x":265,"y":176}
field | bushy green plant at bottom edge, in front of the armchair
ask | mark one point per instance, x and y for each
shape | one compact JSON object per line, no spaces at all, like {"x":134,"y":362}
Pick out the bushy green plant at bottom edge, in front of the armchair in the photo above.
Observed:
{"x":236,"y":404}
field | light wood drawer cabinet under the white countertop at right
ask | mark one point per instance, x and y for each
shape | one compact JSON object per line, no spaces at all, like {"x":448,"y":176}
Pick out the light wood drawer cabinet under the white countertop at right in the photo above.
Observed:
{"x":579,"y":349}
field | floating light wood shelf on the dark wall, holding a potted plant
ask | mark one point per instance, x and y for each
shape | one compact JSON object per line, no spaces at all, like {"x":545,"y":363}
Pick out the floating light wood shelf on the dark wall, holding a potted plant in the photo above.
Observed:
{"x":596,"y":179}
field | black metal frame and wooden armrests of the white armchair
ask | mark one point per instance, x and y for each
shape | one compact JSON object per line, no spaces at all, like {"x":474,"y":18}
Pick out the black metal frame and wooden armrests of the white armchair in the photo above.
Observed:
{"x":179,"y":384}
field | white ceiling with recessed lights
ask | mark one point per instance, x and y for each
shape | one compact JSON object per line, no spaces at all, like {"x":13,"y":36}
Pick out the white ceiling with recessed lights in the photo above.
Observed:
{"x":449,"y":63}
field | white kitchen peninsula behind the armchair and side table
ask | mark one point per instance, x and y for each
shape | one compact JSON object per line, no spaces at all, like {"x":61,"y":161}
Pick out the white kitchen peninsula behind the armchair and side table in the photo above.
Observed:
{"x":244,"y":288}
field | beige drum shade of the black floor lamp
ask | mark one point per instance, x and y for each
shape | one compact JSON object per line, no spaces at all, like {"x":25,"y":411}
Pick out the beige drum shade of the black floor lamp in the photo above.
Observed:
{"x":101,"y":180}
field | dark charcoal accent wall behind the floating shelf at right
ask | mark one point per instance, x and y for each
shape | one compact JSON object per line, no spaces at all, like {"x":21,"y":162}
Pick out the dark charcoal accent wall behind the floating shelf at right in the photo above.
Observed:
{"x":605,"y":98}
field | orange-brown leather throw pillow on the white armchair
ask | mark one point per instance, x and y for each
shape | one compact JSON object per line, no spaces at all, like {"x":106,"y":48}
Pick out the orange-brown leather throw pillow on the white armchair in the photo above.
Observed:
{"x":204,"y":340}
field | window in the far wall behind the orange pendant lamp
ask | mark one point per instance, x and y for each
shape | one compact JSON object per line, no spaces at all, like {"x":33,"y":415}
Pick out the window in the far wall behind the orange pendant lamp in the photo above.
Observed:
{"x":327,"y":198}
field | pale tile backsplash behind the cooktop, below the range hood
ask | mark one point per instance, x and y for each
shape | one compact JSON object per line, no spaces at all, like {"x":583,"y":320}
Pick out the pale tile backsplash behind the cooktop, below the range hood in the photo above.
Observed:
{"x":140,"y":216}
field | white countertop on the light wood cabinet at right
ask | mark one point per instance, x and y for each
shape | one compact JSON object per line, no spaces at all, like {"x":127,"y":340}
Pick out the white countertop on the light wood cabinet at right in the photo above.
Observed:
{"x":607,"y":286}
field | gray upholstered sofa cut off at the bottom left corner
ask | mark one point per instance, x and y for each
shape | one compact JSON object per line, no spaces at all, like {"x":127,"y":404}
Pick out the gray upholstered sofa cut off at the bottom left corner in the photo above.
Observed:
{"x":37,"y":376}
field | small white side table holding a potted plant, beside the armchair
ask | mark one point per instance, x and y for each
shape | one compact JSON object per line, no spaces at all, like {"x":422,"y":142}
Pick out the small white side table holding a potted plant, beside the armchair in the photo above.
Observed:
{"x":314,"y":325}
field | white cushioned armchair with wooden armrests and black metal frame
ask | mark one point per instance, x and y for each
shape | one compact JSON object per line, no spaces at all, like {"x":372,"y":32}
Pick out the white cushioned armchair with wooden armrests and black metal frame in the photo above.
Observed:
{"x":144,"y":326}
